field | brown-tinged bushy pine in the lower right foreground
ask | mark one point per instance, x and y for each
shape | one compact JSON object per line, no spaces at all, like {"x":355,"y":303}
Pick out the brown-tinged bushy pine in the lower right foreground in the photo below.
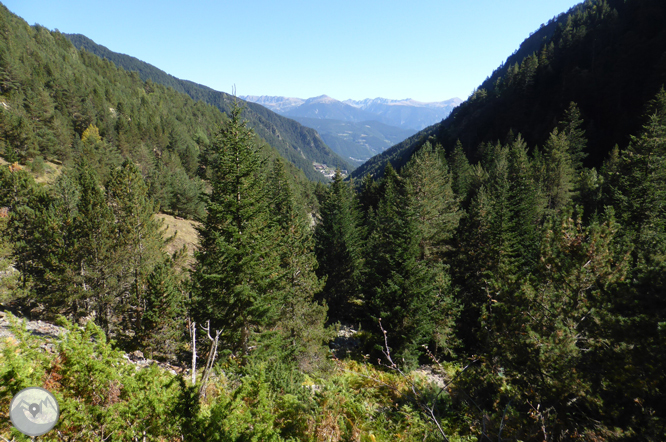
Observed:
{"x":546,"y":331}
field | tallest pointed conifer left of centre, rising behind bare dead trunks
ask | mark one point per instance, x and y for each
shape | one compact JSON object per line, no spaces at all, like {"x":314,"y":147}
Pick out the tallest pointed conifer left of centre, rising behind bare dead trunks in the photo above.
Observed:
{"x":237,"y":266}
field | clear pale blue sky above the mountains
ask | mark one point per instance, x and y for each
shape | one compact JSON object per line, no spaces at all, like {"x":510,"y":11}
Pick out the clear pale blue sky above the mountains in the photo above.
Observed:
{"x":429,"y":50}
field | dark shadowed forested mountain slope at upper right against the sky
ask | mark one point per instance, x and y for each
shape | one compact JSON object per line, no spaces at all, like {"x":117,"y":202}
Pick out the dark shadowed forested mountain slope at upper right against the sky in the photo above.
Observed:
{"x":608,"y":56}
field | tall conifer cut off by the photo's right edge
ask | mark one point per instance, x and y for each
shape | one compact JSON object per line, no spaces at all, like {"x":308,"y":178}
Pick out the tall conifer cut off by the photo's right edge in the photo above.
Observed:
{"x":637,"y":307}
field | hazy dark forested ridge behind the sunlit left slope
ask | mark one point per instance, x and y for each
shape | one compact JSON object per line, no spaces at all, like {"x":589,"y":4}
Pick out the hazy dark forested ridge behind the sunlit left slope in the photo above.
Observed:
{"x":298,"y":144}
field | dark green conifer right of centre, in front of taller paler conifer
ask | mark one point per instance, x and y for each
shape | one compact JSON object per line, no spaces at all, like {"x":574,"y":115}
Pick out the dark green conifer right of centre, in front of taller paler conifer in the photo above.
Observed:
{"x":407,"y":291}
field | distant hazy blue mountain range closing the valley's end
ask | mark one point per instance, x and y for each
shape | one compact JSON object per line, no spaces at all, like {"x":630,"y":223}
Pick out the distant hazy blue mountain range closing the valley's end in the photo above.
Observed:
{"x":359,"y":130}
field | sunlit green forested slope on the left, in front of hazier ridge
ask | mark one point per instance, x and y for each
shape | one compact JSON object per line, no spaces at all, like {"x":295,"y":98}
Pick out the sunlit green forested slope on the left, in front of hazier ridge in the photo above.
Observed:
{"x":58,"y":103}
